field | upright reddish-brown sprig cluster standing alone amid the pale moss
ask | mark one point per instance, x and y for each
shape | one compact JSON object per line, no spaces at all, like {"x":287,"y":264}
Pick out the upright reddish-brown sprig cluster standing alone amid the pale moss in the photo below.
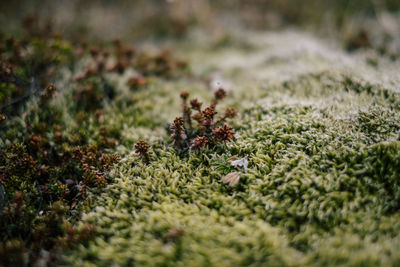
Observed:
{"x":195,"y":132}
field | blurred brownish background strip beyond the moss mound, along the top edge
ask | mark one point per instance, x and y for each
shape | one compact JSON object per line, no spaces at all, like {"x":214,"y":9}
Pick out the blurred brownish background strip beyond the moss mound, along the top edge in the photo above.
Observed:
{"x":357,"y":23}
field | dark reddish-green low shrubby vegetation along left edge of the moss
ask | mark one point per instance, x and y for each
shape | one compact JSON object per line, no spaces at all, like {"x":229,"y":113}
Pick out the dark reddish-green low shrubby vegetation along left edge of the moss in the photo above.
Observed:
{"x":47,"y":168}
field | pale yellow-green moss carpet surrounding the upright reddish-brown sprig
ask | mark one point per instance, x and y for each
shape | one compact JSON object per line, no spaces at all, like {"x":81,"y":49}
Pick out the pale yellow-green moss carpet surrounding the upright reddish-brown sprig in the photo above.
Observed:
{"x":321,"y":131}
